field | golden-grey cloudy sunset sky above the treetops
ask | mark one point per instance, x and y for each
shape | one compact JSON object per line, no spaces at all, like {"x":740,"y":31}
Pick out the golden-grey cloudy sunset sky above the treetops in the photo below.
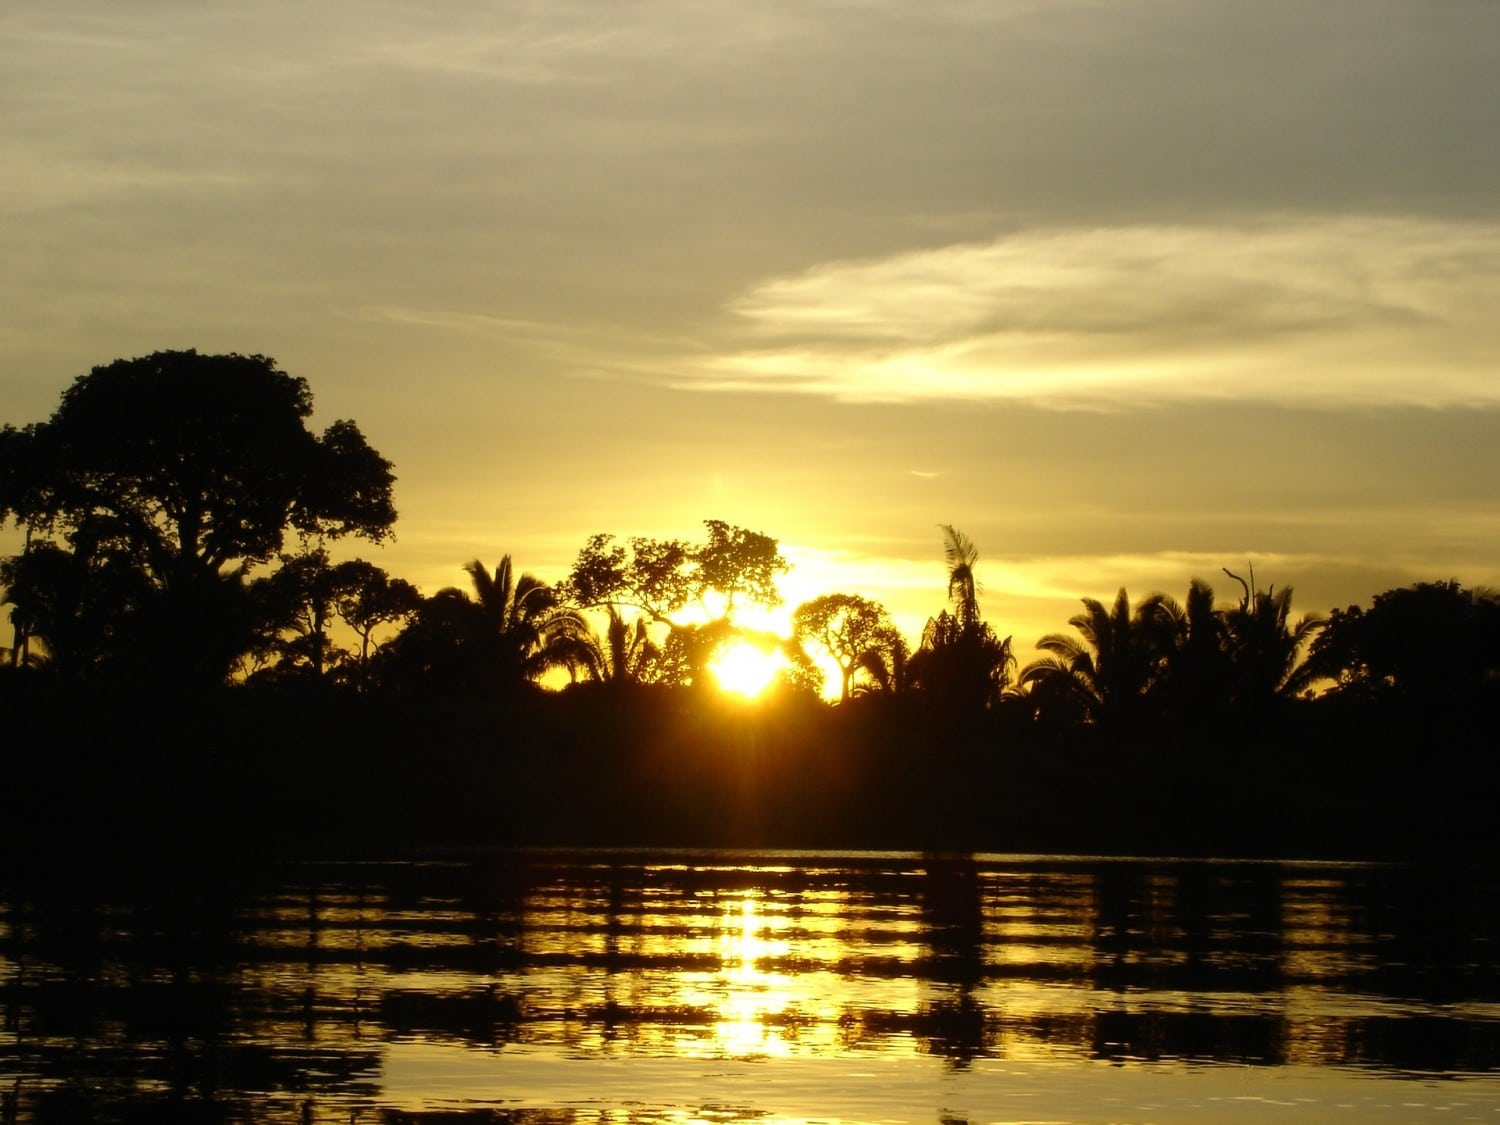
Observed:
{"x":1126,"y":292}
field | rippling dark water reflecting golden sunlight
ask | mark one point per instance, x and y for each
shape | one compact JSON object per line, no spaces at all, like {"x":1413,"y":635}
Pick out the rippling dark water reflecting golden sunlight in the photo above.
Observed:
{"x":734,"y":988}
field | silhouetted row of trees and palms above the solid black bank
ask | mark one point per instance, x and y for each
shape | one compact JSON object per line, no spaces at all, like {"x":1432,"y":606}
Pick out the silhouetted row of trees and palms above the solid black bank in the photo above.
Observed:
{"x":178,"y":515}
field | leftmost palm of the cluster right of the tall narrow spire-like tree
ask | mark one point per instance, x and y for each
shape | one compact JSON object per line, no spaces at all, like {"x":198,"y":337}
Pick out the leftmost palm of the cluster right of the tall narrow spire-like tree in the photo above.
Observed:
{"x":1112,"y":667}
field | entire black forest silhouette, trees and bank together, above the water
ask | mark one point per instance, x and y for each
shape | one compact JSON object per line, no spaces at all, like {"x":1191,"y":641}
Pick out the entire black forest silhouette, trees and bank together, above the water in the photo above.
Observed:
{"x":191,"y":664}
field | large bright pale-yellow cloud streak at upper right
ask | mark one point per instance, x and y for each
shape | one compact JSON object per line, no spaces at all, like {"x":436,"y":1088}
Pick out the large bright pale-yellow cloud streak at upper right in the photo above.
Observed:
{"x":1312,"y":311}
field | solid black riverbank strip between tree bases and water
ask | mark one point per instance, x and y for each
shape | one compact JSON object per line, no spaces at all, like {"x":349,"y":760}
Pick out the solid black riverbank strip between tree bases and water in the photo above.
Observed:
{"x":350,"y":775}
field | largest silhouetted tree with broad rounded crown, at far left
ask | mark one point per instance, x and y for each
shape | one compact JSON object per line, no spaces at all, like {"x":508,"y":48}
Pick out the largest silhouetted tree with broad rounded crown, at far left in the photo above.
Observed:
{"x":194,"y":469}
